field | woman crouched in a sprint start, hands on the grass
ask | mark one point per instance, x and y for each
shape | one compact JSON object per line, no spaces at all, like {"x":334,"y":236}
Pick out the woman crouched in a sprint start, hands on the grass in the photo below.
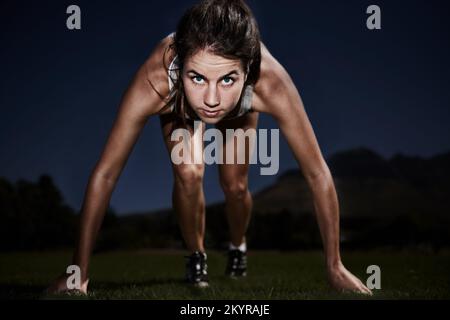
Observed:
{"x":215,"y":69}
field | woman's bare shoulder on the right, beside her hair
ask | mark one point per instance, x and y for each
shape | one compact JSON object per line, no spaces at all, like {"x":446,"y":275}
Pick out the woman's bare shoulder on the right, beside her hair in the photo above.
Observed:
{"x":271,"y":83}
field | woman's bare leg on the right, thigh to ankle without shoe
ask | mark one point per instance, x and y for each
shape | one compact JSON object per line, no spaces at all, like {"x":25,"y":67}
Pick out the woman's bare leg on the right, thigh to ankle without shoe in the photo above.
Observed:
{"x":234,"y":181}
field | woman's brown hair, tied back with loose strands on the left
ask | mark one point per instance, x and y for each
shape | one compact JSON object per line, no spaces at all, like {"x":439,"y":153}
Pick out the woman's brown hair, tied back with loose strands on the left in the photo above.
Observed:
{"x":228,"y":29}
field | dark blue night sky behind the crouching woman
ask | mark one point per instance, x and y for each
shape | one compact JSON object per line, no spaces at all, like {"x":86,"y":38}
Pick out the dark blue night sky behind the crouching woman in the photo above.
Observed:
{"x":387,"y":90}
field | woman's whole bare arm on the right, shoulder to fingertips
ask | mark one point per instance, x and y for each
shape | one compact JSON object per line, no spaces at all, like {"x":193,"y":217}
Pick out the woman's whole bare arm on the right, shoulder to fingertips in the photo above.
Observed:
{"x":276,"y":94}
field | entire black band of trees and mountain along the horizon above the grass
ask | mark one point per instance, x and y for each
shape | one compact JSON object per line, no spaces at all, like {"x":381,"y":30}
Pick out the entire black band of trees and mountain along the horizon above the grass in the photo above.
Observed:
{"x":402,"y":201}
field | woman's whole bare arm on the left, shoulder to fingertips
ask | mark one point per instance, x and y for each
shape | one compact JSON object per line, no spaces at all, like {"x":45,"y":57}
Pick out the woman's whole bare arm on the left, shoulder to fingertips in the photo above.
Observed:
{"x":142,"y":99}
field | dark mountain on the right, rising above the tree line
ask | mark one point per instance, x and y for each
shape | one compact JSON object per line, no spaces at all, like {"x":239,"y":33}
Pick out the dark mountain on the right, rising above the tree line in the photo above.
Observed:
{"x":368,"y":185}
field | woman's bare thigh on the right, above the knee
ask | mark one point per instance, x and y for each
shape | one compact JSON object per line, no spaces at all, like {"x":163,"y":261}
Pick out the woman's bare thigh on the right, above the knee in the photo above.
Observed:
{"x":236,"y":171}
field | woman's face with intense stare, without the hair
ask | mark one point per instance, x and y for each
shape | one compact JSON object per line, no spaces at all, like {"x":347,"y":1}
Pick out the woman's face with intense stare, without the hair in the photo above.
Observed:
{"x":212,"y":85}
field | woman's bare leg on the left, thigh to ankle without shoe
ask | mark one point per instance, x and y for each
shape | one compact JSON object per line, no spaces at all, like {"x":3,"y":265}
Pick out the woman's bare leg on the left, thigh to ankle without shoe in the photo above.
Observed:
{"x":187,"y":197}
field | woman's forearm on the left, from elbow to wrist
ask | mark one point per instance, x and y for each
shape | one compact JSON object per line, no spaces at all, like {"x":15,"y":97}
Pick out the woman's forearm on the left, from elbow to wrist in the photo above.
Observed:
{"x":95,"y":204}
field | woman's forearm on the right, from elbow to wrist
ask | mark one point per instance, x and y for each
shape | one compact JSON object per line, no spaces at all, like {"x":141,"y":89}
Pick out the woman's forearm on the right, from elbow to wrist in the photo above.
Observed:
{"x":326,"y":208}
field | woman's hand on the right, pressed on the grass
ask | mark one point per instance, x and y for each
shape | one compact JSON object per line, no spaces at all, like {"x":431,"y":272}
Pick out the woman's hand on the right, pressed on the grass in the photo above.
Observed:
{"x":343,"y":280}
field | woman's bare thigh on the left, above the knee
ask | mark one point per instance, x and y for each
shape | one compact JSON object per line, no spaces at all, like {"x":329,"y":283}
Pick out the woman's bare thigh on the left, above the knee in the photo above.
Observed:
{"x":168,"y":125}
